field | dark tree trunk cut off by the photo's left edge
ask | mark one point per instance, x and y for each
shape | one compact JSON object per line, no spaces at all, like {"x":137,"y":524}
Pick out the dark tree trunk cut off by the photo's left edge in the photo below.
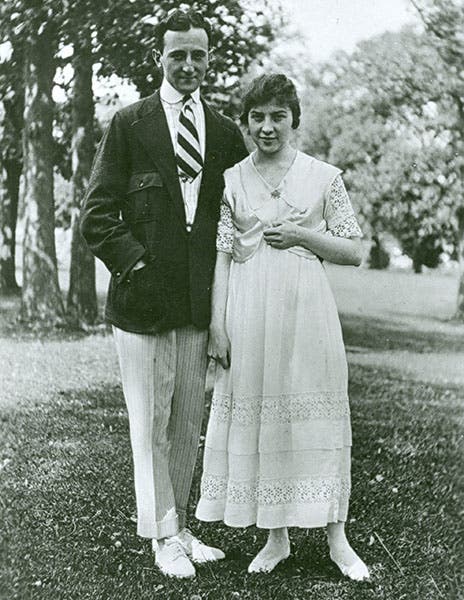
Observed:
{"x":9,"y":192}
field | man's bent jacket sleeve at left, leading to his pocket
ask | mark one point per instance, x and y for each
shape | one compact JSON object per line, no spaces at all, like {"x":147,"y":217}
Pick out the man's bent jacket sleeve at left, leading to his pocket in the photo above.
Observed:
{"x":107,"y":235}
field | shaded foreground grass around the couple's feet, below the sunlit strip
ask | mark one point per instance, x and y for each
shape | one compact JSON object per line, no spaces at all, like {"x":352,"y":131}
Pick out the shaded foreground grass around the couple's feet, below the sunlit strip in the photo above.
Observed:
{"x":67,"y":500}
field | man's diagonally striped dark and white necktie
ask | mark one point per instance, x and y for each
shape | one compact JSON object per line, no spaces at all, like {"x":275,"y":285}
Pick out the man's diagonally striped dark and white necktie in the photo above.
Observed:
{"x":189,"y":160}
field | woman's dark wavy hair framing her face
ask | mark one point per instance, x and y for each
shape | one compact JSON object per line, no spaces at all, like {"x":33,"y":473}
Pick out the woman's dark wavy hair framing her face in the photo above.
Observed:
{"x":275,"y":87}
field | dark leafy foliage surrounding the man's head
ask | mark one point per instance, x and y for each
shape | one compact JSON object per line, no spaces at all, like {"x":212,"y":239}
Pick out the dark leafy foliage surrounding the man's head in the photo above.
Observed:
{"x":241,"y":34}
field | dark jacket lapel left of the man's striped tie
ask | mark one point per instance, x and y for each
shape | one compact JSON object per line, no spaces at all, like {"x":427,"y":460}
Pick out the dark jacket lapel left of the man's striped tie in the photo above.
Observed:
{"x":153,"y":131}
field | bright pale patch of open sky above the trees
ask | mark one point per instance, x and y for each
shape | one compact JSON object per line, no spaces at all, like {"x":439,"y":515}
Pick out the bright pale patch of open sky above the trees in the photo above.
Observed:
{"x":329,"y":25}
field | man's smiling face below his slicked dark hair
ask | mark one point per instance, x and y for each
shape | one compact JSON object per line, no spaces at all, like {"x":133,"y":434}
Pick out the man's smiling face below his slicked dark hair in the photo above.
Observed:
{"x":185,"y":58}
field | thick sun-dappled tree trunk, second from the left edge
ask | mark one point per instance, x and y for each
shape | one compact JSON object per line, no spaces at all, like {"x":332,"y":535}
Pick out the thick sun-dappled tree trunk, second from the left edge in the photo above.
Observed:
{"x":42,"y":302}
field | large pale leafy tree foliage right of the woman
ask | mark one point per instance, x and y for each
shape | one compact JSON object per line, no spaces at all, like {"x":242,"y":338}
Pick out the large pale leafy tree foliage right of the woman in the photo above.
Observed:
{"x":387,"y":115}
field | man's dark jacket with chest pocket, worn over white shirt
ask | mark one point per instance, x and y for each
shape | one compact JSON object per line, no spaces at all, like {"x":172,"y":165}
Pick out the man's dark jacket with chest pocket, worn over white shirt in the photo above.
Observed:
{"x":134,"y":209}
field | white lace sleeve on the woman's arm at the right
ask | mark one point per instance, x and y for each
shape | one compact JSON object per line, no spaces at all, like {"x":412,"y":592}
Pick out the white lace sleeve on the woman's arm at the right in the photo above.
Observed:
{"x":339,"y":213}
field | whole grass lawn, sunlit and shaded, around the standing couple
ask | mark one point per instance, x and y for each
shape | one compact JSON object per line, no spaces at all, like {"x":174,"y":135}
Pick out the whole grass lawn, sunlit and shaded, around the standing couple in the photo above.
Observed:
{"x":66,"y":493}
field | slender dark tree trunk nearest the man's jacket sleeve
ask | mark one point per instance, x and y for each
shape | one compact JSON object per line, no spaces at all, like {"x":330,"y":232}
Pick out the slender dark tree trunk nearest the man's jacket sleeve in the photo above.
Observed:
{"x":82,"y":296}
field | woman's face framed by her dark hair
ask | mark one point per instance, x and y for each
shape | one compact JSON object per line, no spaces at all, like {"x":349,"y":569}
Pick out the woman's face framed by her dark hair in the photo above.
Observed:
{"x":270,"y":126}
